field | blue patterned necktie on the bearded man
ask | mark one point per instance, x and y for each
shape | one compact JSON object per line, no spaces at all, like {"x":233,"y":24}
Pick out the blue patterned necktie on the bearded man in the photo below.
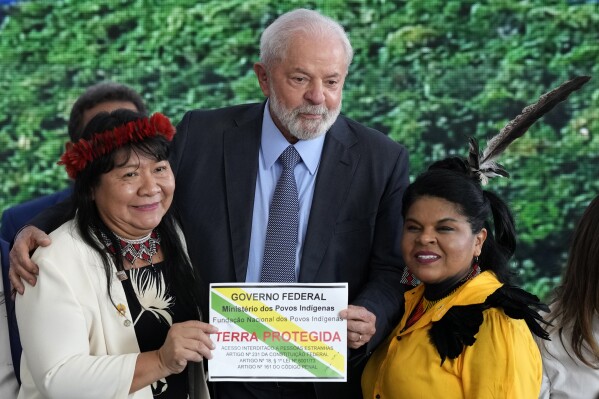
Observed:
{"x":278,"y":265}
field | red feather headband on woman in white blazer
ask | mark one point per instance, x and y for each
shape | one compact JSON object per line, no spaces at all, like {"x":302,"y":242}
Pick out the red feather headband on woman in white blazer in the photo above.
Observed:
{"x":78,"y":155}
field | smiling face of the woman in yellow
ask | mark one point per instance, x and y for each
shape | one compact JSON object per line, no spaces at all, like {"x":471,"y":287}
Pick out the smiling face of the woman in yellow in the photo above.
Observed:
{"x":438,"y":242}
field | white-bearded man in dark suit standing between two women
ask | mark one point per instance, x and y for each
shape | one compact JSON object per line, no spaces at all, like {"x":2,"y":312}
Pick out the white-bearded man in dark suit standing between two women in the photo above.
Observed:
{"x":350,"y":183}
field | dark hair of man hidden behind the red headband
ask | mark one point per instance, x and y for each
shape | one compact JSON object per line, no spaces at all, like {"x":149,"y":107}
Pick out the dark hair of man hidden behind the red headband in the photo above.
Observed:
{"x":98,"y":94}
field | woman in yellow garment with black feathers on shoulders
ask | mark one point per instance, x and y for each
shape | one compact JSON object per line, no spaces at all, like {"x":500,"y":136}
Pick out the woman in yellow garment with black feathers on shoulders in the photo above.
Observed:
{"x":466,"y":332}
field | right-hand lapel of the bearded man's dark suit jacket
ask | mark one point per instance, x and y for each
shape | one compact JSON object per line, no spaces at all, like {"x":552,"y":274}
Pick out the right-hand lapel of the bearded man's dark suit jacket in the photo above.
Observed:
{"x":338,"y":163}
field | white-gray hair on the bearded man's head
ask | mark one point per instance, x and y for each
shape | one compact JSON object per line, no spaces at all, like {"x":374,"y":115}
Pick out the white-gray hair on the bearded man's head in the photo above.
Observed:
{"x":276,"y":38}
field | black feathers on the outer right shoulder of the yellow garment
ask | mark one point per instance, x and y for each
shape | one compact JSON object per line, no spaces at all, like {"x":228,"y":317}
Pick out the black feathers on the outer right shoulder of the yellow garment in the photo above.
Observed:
{"x":519,"y":304}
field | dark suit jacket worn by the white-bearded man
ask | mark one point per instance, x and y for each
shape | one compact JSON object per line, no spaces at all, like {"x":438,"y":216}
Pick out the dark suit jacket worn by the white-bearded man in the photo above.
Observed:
{"x":355,"y":221}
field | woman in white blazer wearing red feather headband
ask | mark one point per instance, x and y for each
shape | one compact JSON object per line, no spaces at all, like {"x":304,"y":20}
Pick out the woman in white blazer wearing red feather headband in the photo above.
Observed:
{"x":115,"y":312}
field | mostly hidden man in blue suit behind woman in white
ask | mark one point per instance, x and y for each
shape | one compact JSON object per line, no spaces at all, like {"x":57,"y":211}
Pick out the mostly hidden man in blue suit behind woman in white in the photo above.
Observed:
{"x":104,"y":96}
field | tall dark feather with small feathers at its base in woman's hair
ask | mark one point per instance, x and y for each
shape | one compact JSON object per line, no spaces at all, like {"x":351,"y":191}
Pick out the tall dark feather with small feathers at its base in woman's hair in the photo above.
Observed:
{"x":485,"y":165}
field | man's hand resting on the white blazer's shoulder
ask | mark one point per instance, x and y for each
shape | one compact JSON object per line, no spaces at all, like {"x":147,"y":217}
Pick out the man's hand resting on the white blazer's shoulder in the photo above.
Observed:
{"x":21,"y":266}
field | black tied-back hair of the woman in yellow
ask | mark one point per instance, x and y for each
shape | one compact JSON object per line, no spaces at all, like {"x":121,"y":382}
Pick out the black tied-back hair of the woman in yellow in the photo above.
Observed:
{"x":450,"y":180}
